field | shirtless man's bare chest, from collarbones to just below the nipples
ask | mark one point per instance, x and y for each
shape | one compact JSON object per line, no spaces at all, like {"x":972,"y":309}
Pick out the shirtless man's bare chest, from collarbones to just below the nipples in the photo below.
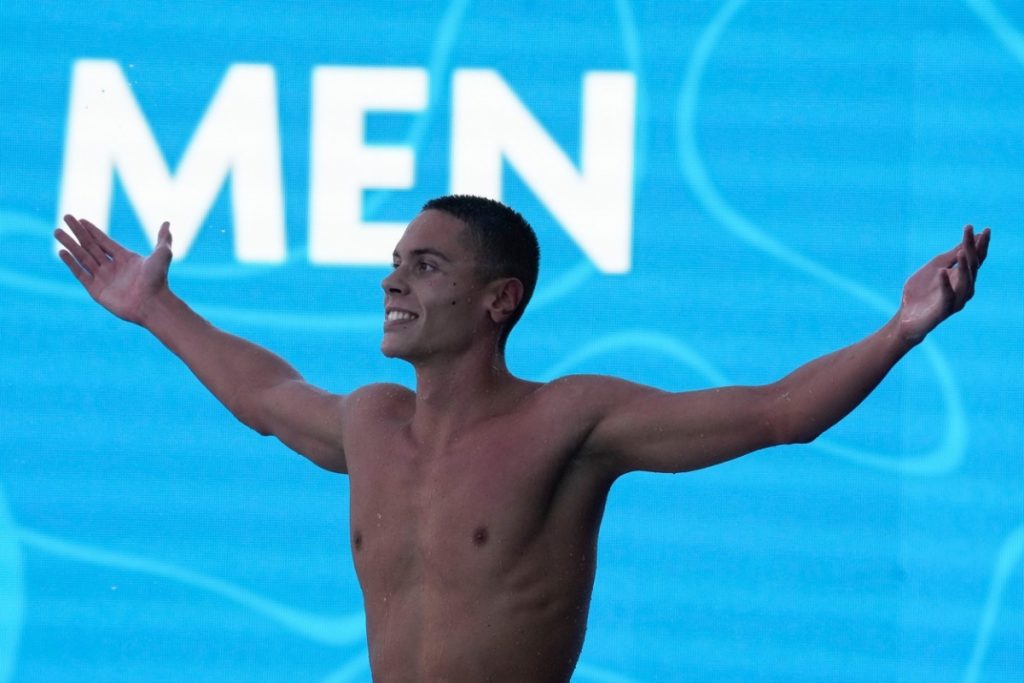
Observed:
{"x":454,"y":511}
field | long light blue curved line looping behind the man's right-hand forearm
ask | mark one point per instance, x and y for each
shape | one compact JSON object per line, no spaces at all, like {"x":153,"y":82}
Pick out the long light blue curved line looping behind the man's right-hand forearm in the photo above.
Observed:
{"x":949,"y":456}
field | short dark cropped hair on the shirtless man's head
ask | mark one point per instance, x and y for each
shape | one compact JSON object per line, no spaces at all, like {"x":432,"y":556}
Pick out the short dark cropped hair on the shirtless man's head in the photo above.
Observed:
{"x":503,"y":240}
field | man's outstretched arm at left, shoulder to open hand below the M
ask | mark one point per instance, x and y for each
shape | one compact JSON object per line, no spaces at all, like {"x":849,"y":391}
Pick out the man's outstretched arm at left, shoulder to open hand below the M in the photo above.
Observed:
{"x":259,"y":388}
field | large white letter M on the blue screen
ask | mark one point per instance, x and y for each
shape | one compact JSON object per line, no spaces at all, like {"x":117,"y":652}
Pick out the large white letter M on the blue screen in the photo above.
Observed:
{"x":239,"y":135}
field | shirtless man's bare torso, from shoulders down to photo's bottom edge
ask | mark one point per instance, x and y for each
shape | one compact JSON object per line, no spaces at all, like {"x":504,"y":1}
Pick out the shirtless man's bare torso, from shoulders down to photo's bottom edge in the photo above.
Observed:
{"x":477,"y":553}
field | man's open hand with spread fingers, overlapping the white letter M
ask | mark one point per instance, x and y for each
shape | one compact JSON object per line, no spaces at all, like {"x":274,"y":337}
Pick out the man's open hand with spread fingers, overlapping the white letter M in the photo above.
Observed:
{"x":120,"y":280}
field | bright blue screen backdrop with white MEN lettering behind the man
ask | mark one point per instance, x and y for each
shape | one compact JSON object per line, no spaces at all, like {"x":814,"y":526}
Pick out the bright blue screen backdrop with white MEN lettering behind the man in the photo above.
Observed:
{"x":722,"y":191}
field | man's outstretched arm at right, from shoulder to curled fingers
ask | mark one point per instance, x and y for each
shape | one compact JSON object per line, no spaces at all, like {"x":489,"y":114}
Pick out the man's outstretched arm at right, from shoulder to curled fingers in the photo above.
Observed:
{"x":641,"y":429}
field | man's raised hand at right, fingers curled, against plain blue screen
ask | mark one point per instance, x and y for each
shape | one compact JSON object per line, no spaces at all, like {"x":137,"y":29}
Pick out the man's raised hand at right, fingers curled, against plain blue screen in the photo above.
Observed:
{"x":943,"y":287}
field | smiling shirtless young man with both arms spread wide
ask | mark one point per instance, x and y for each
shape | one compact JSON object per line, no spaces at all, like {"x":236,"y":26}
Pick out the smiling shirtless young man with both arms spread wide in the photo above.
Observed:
{"x":477,"y":499}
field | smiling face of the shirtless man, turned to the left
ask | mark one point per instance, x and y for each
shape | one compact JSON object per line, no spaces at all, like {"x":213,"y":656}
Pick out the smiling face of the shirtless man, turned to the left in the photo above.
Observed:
{"x":434,"y":298}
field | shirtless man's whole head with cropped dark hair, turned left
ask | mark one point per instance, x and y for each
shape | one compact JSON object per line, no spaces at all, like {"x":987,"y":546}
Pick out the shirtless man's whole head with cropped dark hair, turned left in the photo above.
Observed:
{"x":478,"y":258}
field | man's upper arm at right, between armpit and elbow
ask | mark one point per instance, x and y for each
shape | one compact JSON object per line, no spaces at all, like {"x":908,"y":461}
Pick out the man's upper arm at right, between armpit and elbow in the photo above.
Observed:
{"x":676,"y":433}
